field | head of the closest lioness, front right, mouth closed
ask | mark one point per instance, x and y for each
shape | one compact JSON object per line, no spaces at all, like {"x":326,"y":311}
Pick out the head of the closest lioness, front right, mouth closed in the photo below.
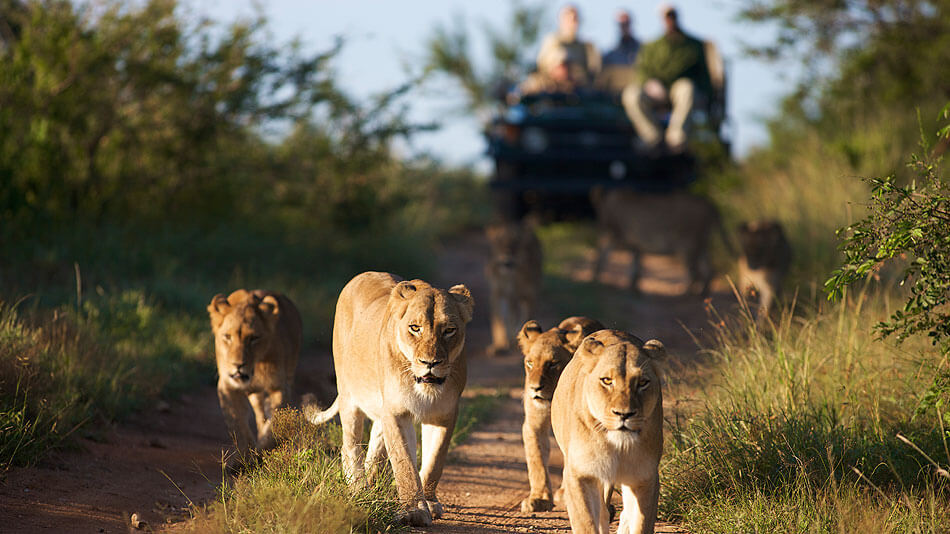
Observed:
{"x":622,"y":388}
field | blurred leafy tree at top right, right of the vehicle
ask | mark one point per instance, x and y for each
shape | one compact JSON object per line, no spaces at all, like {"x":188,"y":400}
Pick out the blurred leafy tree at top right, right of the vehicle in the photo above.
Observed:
{"x":868,"y":66}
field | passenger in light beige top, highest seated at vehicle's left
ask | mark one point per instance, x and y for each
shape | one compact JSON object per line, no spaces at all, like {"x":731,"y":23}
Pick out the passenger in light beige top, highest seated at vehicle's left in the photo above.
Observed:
{"x":583,"y":60}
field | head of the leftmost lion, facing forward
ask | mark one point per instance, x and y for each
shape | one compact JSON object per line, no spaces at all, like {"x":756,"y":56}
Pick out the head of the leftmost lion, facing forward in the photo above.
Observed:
{"x":243,"y":326}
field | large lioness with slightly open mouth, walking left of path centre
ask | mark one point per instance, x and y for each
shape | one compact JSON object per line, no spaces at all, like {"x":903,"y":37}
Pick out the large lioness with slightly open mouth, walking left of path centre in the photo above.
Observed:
{"x":397,"y":351}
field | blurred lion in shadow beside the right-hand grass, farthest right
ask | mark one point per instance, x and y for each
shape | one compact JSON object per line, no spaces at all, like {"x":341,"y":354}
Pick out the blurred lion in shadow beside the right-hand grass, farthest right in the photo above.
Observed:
{"x":765,"y":260}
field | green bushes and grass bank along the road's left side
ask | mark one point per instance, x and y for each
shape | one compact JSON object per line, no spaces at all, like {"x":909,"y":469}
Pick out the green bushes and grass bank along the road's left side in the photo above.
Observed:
{"x":149,"y":161}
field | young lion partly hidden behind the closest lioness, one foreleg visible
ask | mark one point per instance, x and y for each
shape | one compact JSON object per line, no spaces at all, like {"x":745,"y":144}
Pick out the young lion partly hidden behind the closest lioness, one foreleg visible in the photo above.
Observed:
{"x":545,"y":355}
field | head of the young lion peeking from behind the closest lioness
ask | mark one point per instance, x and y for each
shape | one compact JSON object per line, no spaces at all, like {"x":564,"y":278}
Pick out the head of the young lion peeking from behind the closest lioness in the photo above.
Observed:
{"x":547,"y":353}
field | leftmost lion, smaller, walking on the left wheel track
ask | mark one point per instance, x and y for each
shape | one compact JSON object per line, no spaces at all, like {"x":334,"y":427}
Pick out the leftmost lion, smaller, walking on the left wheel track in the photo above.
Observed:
{"x":257,"y":344}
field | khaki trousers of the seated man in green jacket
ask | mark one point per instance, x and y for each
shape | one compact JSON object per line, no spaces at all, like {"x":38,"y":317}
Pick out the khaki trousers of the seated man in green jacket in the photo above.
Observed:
{"x":640,"y":106}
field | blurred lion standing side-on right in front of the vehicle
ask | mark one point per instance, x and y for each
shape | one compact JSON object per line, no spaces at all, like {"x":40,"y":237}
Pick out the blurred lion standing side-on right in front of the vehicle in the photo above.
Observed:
{"x":677,"y":223}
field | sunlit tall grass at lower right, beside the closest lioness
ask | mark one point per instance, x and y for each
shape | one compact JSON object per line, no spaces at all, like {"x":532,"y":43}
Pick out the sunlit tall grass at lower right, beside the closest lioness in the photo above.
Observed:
{"x":799,"y":430}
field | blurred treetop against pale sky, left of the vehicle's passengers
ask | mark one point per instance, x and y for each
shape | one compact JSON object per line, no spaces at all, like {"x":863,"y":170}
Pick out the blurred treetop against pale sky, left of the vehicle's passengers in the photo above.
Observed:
{"x":448,"y":54}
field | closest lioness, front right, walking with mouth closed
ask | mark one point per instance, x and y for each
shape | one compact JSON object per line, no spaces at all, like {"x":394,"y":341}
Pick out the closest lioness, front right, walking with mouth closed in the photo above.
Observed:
{"x":607,"y":415}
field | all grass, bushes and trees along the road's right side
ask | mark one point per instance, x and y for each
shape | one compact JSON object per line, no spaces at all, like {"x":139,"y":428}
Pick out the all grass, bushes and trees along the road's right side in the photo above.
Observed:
{"x":820,"y":420}
